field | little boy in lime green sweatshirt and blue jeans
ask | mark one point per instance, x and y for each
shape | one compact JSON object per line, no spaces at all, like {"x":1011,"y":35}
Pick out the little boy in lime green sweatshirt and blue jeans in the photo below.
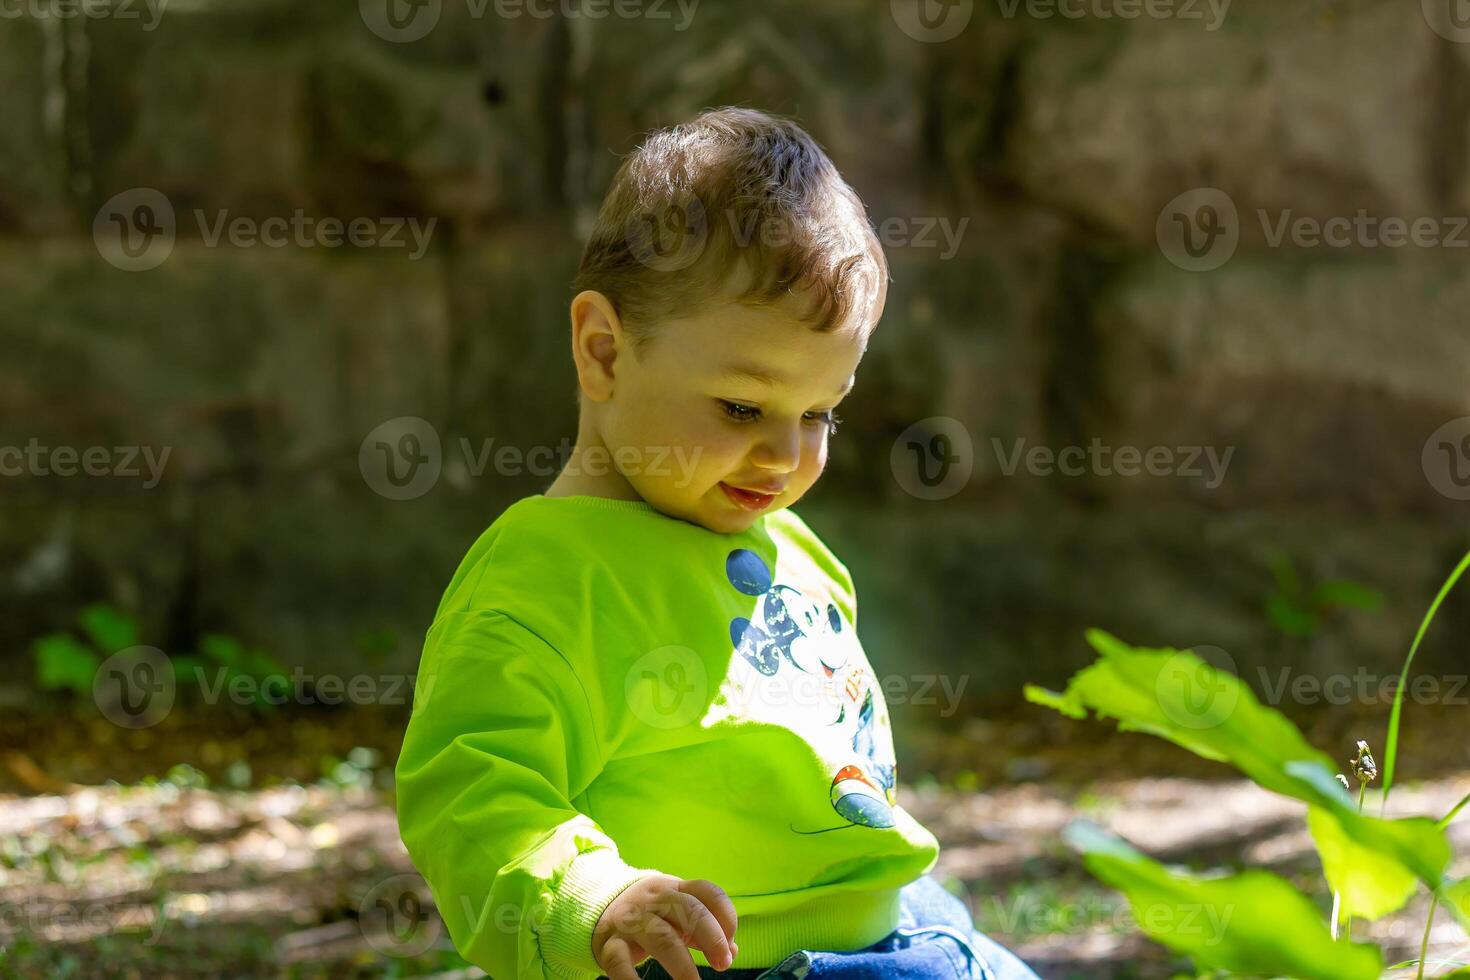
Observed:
{"x":645,"y":727}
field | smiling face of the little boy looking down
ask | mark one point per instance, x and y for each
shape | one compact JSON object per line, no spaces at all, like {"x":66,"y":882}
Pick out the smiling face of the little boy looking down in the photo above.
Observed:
{"x":739,"y":400}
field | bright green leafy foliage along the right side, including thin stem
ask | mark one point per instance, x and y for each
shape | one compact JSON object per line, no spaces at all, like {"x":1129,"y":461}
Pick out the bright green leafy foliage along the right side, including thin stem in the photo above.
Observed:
{"x":1374,"y":866}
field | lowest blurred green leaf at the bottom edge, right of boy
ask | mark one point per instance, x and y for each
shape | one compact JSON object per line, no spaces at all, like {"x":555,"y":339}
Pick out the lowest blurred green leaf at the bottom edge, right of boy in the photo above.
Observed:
{"x":1252,"y":923}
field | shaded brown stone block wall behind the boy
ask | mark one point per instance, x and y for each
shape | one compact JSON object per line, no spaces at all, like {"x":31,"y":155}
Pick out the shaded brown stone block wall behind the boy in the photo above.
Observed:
{"x":1068,"y":311}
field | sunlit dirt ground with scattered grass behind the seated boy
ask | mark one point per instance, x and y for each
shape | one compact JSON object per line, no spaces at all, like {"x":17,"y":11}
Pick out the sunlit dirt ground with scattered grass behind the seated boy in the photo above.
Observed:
{"x":264,"y":844}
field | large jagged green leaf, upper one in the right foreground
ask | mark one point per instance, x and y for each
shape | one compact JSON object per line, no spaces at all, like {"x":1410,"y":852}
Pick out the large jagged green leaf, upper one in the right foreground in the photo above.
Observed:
{"x":1180,"y":697}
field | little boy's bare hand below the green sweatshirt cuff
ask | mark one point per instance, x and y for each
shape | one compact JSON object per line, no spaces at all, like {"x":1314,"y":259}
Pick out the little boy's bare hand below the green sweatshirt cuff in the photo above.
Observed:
{"x":664,"y":916}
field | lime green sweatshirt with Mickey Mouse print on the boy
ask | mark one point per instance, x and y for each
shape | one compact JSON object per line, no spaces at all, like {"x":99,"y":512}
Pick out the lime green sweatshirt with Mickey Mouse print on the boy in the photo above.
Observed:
{"x":608,"y":693}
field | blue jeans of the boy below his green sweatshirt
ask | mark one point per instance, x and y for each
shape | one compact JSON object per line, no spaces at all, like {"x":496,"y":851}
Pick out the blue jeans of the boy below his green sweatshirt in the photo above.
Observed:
{"x":936,"y":941}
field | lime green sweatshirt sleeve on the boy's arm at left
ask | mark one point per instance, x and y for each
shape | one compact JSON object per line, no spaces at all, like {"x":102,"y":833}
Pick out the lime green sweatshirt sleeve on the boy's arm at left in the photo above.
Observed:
{"x":501,"y":741}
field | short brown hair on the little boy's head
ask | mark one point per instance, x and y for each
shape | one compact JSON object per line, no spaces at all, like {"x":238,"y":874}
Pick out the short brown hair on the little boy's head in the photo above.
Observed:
{"x":734,"y":203}
